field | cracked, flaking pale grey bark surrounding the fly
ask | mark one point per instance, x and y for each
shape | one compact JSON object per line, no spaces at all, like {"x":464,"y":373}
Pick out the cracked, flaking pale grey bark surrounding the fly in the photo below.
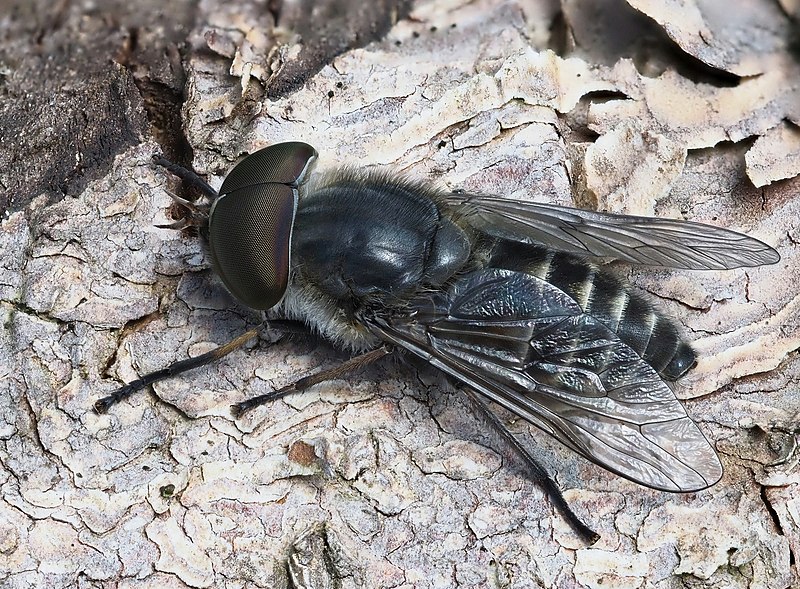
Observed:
{"x":386,"y":478}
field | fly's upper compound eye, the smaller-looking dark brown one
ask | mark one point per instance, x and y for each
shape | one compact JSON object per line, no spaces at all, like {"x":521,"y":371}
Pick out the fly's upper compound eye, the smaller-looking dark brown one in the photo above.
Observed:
{"x":284,"y":163}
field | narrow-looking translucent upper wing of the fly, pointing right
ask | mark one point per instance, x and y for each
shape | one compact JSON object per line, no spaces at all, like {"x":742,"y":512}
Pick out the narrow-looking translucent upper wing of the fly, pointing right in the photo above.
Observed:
{"x":640,"y":240}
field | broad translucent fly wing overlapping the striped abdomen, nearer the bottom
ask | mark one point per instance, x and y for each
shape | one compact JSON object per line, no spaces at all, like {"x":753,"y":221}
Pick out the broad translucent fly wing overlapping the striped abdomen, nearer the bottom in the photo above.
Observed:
{"x":526,"y":345}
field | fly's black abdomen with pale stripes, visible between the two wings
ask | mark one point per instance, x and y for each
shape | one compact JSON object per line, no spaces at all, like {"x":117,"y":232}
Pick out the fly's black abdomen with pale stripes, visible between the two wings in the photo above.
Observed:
{"x":606,"y":298}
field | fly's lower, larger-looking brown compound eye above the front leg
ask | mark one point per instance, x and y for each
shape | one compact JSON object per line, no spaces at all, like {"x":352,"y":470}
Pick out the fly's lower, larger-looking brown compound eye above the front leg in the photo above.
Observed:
{"x":249,"y":235}
